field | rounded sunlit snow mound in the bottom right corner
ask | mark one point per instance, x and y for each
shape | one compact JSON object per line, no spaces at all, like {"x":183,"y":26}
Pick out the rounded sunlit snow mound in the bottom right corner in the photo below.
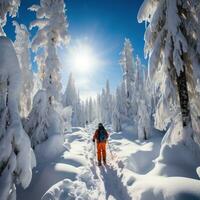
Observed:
{"x":171,"y":188}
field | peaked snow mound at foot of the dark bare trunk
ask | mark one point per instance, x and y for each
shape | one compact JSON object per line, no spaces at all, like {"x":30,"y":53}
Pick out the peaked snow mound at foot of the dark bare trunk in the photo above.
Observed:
{"x":178,"y":156}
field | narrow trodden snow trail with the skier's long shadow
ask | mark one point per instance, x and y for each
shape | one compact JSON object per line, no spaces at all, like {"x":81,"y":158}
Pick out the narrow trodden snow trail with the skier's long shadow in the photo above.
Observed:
{"x":110,"y":181}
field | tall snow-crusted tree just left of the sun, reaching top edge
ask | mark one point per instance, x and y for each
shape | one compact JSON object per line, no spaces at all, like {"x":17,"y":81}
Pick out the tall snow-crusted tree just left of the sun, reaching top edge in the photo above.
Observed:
{"x":51,"y":33}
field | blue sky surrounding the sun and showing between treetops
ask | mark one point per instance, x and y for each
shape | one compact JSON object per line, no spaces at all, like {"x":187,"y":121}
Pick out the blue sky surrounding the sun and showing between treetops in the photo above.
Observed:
{"x":101,"y":24}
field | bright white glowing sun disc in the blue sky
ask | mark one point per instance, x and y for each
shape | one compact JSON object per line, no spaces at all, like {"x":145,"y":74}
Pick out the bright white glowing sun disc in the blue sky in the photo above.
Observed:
{"x":83,"y":58}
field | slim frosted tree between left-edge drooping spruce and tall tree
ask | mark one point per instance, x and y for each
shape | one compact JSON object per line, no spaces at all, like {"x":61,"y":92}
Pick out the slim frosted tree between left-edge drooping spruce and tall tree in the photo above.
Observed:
{"x":22,"y":45}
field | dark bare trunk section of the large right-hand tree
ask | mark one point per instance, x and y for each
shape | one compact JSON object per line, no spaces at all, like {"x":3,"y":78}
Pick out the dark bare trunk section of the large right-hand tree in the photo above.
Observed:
{"x":184,"y":98}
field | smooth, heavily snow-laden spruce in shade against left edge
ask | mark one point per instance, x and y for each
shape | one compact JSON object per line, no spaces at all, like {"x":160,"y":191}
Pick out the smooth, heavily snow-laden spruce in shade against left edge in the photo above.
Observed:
{"x":16,"y":158}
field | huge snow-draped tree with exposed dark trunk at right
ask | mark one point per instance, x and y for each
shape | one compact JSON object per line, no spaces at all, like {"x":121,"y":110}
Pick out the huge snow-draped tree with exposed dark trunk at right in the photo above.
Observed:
{"x":172,"y":43}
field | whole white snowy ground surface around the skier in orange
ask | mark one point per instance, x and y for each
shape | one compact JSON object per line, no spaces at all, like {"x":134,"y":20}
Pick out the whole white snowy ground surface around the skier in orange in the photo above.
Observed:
{"x":129,"y":174}
